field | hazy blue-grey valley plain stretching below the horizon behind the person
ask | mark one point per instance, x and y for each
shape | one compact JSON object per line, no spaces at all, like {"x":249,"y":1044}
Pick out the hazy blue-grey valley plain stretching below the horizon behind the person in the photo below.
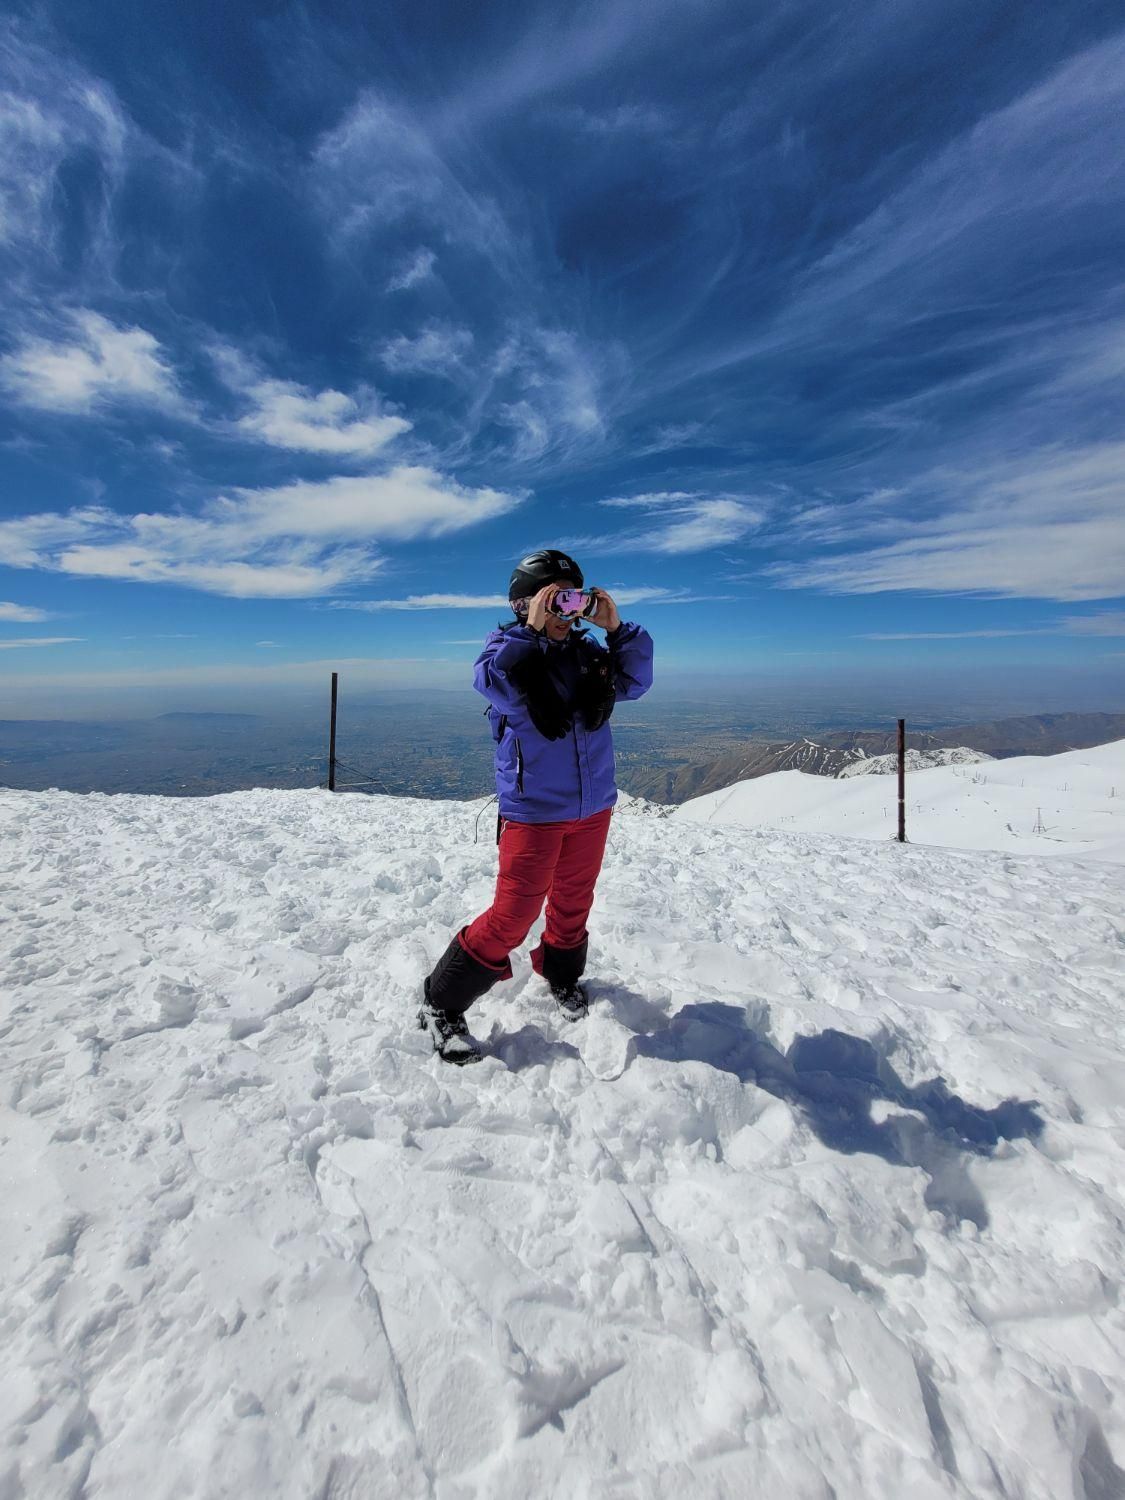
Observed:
{"x":439,"y":746}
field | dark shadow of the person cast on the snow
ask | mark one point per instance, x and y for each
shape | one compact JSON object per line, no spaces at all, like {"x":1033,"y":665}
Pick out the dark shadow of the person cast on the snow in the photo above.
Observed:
{"x":835,"y":1079}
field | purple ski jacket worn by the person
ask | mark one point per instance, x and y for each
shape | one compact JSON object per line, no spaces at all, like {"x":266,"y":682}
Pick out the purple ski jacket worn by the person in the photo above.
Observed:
{"x":544,"y":781}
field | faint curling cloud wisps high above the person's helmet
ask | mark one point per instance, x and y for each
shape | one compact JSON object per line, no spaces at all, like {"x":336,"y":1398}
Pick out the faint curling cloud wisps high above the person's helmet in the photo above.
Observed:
{"x":527,"y":386}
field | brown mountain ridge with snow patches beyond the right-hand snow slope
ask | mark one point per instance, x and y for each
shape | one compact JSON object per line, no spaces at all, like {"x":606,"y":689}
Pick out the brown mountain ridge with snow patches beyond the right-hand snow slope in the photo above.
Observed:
{"x":845,"y":752}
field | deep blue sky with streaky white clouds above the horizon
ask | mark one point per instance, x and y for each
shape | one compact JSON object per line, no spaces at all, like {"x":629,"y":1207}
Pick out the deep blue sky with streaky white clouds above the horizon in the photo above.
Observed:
{"x":802,"y":325}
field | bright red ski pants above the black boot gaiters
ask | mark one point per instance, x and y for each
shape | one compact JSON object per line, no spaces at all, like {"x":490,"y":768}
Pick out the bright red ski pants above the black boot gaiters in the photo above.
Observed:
{"x":554,"y":862}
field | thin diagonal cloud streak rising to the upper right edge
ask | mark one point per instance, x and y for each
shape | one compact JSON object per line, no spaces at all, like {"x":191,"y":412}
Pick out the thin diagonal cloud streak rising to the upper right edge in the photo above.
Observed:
{"x":1025,"y":169}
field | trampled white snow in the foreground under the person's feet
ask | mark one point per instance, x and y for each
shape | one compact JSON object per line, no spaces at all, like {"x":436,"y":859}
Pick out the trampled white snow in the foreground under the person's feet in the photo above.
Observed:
{"x":728,"y":1238}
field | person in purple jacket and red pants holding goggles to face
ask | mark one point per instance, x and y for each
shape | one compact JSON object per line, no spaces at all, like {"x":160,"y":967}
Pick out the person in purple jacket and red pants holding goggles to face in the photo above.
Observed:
{"x":551,"y":691}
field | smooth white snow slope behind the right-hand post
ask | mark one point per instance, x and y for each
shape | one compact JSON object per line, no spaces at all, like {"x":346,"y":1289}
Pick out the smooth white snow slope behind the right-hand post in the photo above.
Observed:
{"x":1063,"y":805}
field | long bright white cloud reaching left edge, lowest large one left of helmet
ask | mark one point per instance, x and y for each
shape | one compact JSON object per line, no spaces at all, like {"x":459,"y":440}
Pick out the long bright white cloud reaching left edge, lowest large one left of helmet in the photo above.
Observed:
{"x":298,"y":541}
